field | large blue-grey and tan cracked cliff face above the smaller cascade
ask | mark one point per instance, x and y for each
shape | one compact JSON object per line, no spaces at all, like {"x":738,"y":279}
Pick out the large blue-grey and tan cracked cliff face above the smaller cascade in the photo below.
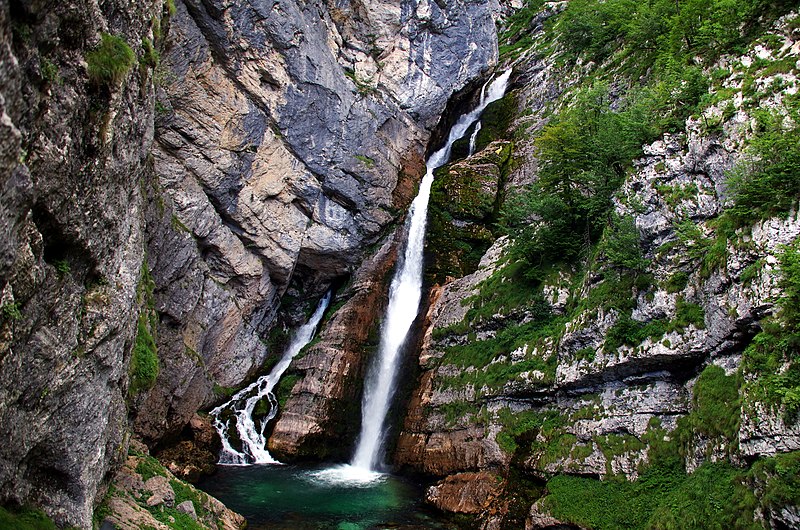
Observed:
{"x":287,"y":138}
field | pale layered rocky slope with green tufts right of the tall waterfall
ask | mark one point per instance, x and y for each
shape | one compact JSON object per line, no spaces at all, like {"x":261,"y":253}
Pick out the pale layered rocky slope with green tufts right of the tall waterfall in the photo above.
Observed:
{"x":592,"y":373}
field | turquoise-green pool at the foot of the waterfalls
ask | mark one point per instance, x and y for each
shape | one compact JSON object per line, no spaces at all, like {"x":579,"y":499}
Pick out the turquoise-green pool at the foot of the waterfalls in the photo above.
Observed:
{"x":291,"y":498}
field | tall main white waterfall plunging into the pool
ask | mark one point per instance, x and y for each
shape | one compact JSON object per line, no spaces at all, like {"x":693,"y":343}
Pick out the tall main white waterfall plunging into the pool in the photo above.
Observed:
{"x":404,"y":296}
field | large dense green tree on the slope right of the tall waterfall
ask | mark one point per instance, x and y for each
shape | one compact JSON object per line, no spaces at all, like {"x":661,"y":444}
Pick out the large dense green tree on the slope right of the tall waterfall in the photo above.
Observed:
{"x":584,"y":152}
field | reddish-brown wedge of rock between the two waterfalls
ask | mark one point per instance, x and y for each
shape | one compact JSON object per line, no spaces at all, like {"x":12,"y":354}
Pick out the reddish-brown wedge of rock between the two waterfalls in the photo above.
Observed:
{"x":322,"y":413}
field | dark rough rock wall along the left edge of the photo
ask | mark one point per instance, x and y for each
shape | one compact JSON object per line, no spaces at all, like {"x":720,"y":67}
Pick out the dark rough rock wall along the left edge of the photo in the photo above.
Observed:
{"x":73,"y":153}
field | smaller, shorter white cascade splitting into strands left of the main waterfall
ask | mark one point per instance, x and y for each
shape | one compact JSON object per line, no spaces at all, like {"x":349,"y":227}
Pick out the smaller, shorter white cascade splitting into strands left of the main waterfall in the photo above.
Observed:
{"x":242,"y":404}
